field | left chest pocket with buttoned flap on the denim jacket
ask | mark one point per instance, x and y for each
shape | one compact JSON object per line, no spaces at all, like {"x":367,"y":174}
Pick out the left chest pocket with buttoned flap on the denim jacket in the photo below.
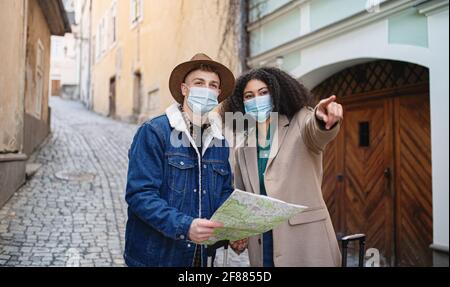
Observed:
{"x":179,"y":170}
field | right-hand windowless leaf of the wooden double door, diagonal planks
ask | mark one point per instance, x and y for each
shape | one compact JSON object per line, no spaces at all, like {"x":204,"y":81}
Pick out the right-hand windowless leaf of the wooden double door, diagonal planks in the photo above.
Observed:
{"x":413,"y":180}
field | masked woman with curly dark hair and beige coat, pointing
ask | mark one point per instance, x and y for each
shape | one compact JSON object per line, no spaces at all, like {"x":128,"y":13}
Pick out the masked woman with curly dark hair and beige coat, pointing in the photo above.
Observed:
{"x":286,"y":163}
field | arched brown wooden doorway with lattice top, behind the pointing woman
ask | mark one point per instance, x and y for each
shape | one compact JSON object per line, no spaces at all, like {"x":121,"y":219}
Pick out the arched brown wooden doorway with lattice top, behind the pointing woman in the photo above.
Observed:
{"x":377,"y":172}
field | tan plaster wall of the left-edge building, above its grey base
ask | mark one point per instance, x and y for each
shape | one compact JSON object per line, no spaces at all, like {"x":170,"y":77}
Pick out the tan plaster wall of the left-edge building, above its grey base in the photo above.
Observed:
{"x":22,"y":26}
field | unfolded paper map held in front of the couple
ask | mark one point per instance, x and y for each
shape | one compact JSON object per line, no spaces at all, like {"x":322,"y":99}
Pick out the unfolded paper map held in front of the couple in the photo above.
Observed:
{"x":246,"y":214}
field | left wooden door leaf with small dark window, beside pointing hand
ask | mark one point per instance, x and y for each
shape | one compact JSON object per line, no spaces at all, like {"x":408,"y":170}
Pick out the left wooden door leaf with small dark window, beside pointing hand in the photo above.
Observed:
{"x":367,"y":174}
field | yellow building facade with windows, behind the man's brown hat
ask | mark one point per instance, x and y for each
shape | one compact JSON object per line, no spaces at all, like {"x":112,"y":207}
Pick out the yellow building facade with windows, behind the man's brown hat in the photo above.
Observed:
{"x":135,"y":44}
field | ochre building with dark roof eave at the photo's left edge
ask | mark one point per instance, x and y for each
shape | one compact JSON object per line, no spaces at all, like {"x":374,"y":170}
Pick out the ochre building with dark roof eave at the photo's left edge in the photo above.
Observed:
{"x":25,"y":30}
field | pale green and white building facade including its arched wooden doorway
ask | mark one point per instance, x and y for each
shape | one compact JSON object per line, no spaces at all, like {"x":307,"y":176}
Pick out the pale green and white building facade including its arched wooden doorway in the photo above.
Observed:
{"x":387,"y":61}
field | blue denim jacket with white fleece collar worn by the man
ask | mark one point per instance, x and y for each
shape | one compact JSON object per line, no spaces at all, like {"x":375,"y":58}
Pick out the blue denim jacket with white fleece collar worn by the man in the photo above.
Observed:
{"x":169,"y":185}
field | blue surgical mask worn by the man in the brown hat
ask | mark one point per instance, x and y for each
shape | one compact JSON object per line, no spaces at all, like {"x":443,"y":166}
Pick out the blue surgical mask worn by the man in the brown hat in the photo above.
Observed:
{"x":202,"y":100}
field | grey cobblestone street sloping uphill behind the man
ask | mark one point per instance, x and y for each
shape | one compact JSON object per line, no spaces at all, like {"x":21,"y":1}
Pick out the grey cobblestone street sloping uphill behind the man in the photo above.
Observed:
{"x":72,"y":211}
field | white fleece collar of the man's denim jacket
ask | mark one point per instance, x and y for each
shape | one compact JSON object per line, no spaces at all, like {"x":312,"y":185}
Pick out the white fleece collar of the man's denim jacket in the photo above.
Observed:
{"x":177,"y":121}
